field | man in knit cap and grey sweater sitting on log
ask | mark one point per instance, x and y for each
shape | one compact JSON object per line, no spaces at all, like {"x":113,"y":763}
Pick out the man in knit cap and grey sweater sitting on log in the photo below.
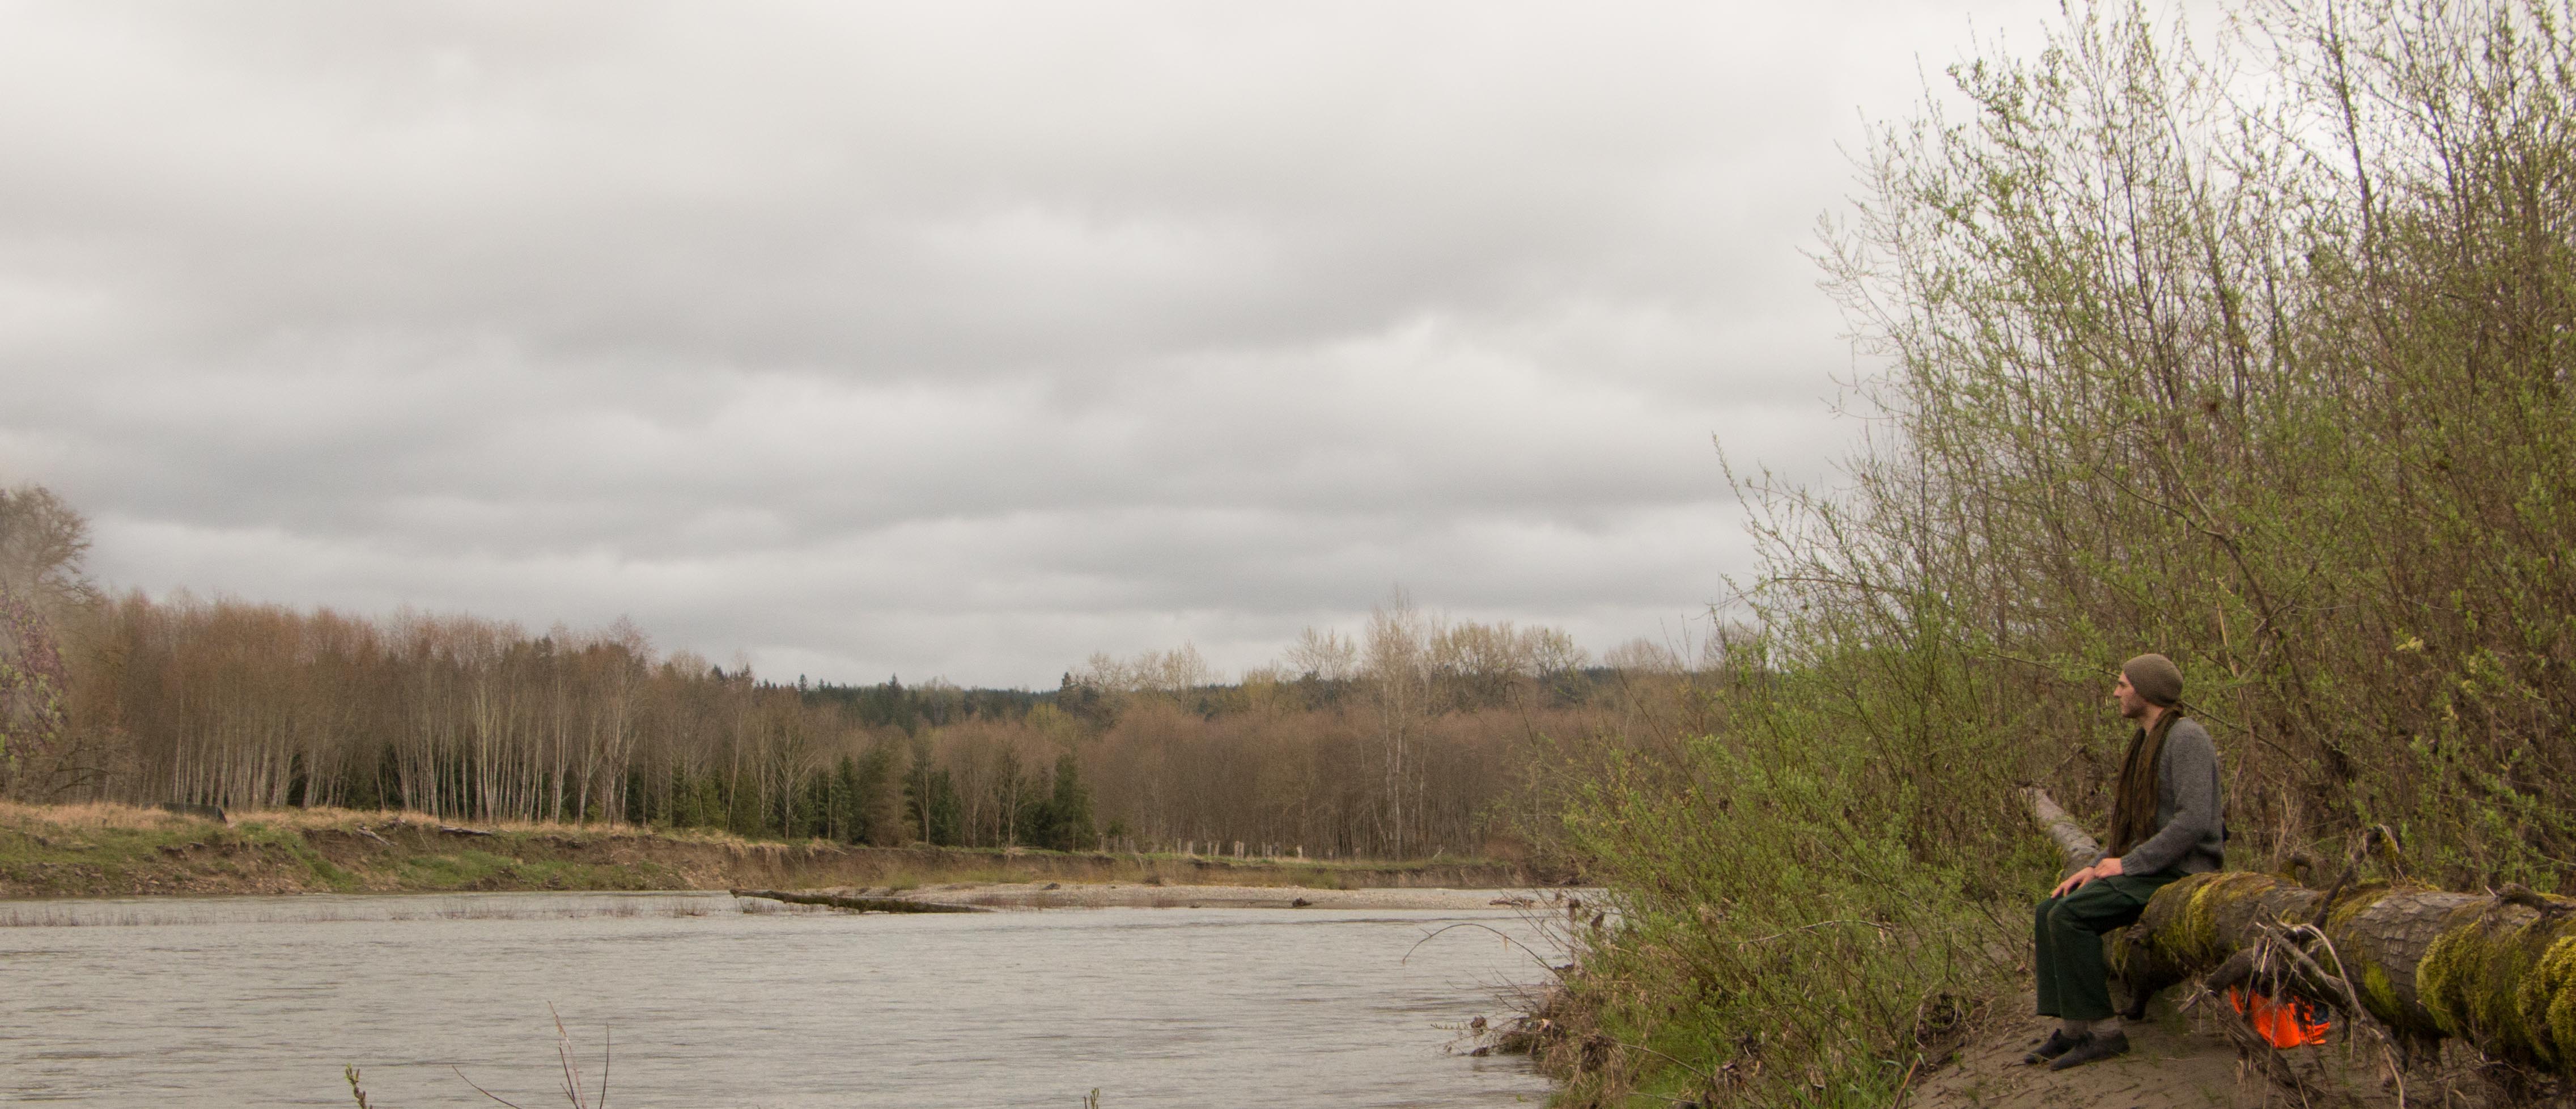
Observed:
{"x":2168,"y":821}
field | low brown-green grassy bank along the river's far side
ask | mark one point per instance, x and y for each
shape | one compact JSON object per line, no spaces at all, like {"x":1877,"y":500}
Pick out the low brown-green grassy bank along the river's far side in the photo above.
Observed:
{"x":120,"y":852}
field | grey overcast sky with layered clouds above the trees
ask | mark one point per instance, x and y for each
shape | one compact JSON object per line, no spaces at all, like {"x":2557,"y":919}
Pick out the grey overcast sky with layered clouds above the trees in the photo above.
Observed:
{"x":936,"y":339}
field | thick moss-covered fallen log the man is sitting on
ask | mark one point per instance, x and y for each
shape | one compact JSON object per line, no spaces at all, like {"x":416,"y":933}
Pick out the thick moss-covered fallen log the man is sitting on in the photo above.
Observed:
{"x":2490,"y":968}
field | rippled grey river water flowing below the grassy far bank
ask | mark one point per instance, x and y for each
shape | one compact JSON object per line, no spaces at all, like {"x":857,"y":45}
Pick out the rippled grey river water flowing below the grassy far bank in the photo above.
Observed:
{"x":710,"y":1002}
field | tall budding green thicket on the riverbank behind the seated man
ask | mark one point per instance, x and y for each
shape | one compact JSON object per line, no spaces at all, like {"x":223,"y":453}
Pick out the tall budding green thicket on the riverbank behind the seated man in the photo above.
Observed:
{"x":2255,"y":349}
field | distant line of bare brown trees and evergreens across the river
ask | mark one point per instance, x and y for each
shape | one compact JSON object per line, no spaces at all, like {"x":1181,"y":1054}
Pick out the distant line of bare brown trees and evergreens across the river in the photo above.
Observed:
{"x":1416,"y":736}
